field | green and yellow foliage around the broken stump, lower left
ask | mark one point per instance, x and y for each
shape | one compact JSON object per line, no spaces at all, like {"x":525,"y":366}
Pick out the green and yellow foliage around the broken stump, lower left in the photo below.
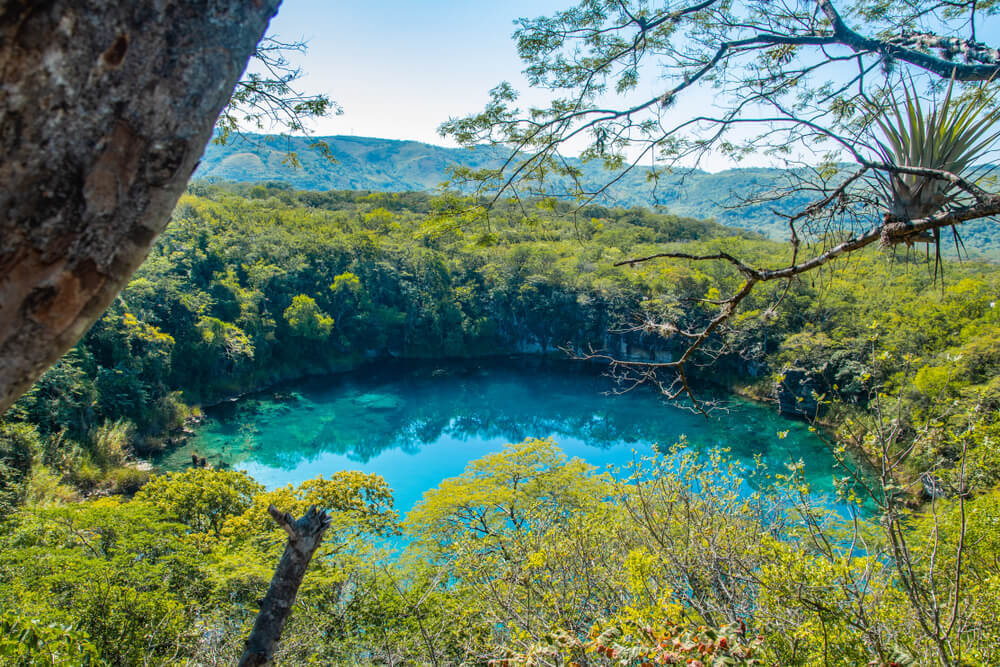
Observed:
{"x":118,"y":582}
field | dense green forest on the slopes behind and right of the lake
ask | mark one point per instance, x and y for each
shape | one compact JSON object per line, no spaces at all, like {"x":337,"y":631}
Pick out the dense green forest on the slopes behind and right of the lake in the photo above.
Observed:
{"x":251,"y":285}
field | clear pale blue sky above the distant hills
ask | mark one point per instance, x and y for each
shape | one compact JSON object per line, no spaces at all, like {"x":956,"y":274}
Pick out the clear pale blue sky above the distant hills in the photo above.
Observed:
{"x":399,"y":69}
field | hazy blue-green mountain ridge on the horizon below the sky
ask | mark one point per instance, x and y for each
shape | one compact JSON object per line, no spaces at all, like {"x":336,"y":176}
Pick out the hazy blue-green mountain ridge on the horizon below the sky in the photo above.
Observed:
{"x":364,"y":163}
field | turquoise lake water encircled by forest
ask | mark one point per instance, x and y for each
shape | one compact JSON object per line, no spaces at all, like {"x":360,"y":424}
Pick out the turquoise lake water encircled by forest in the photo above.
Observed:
{"x":419,"y":424}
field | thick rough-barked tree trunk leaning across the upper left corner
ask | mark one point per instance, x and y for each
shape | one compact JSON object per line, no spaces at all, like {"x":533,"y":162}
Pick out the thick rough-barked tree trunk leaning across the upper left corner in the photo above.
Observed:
{"x":105,"y":109}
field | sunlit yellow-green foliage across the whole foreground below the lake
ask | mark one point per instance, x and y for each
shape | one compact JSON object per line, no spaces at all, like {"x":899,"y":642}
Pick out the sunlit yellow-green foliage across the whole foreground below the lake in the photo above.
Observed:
{"x":526,"y":558}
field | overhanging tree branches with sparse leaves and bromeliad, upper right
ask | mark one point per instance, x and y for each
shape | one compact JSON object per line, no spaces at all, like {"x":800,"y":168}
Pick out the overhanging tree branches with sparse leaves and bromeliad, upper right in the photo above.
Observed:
{"x":807,"y":83}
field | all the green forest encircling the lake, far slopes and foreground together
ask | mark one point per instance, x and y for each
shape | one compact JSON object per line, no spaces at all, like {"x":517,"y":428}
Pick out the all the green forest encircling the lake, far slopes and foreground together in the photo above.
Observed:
{"x":252,"y":284}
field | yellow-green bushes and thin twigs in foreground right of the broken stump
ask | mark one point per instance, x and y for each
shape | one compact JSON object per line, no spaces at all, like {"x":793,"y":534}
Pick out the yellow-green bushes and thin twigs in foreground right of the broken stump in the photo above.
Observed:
{"x":676,"y":562}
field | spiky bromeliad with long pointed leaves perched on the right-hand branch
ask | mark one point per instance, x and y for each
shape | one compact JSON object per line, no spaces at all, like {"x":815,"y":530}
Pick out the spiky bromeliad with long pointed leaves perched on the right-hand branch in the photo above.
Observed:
{"x":951,"y":137}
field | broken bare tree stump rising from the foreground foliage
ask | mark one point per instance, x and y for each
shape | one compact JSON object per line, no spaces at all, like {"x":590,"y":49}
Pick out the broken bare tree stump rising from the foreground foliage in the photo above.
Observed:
{"x":304,"y":536}
